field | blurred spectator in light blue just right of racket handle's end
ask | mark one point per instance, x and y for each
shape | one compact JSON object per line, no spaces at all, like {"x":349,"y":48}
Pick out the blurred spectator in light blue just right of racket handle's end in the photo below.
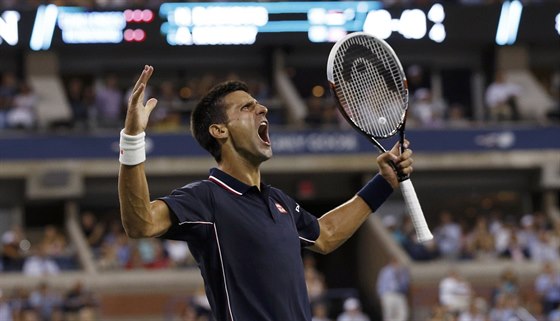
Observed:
{"x":448,"y":236}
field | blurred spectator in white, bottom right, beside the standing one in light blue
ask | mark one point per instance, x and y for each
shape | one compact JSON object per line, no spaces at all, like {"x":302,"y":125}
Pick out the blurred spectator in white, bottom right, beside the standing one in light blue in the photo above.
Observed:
{"x":455,"y":292}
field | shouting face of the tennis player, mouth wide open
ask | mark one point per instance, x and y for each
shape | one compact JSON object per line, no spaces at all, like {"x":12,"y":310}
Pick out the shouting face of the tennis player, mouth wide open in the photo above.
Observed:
{"x":248,"y":127}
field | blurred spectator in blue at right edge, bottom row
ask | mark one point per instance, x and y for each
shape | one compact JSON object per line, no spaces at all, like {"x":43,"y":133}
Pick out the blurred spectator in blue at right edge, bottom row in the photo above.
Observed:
{"x":547,"y":286}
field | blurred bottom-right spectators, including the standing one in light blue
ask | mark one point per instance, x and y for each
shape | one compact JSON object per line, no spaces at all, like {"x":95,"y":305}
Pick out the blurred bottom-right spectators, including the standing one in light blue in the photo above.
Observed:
{"x":458,"y":300}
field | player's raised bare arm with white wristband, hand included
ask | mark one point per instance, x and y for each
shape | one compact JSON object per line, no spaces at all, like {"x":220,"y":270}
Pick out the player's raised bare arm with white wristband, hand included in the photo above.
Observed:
{"x":140,"y":217}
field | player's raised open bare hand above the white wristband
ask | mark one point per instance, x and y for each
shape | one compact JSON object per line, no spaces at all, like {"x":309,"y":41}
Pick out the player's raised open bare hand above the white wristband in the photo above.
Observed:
{"x":137,"y":114}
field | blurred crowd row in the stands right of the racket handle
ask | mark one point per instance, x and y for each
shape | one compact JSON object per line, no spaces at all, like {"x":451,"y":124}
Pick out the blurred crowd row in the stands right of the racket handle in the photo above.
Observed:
{"x":532,"y":238}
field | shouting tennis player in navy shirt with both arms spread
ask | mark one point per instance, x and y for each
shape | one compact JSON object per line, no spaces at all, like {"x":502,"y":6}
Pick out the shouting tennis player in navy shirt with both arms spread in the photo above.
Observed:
{"x":246,"y":236}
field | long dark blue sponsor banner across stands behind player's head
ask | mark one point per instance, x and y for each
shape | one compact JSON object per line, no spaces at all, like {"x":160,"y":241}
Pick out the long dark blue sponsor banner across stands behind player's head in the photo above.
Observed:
{"x":286,"y":143}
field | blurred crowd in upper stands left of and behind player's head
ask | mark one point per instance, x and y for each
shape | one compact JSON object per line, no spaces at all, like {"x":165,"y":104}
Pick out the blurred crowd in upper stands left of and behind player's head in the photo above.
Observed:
{"x":100,"y":102}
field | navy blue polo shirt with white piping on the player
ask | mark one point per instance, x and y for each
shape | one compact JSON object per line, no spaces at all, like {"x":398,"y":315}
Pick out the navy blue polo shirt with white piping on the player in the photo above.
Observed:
{"x":247,"y":243}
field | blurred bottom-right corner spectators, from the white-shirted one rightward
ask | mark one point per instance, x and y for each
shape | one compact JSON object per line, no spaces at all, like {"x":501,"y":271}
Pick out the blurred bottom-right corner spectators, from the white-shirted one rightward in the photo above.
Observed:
{"x":507,"y":301}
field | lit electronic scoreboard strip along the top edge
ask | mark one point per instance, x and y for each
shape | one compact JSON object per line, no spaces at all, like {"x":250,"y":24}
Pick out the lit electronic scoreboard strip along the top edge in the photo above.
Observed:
{"x":253,"y":23}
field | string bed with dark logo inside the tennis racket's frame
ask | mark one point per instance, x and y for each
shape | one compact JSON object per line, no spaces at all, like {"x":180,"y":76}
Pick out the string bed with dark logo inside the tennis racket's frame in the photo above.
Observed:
{"x":375,"y":97}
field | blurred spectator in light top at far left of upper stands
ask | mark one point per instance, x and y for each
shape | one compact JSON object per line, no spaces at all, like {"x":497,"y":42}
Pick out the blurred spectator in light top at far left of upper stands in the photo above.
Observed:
{"x":23,"y":114}
